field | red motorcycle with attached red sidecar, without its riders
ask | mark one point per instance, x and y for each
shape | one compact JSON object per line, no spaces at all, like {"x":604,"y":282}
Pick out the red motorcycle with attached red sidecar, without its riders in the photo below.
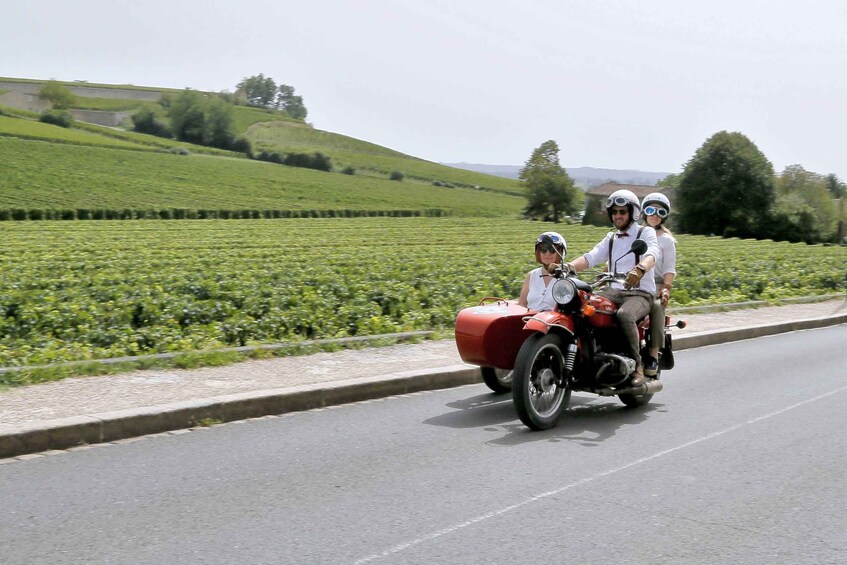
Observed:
{"x":542,"y":357}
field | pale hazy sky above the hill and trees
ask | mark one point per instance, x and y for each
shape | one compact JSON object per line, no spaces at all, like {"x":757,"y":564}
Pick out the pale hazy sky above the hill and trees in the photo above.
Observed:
{"x":617,"y":84}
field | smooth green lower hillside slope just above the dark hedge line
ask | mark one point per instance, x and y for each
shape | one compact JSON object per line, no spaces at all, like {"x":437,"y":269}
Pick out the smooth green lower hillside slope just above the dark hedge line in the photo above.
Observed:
{"x":50,"y":175}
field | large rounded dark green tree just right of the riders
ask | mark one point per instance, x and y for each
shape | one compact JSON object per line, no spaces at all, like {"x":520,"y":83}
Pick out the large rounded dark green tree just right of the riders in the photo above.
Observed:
{"x":727,"y":188}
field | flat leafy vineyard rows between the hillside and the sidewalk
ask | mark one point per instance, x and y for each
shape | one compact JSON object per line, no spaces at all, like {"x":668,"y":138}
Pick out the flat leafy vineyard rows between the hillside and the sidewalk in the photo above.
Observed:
{"x":87,"y":290}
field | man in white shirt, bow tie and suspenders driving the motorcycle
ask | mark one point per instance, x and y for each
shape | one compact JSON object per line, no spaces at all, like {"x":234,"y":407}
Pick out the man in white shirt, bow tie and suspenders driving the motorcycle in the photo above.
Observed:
{"x":634,"y":297}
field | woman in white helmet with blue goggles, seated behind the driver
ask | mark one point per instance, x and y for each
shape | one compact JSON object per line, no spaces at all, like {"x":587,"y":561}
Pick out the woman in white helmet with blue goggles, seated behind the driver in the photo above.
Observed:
{"x":656,"y":208}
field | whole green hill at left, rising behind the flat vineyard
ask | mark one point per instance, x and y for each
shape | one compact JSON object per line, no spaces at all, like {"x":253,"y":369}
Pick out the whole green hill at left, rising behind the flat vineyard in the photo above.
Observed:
{"x":91,"y":167}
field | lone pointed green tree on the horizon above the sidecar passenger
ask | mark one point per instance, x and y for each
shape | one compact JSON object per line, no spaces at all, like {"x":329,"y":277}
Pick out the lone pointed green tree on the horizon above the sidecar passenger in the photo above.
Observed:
{"x":550,"y":192}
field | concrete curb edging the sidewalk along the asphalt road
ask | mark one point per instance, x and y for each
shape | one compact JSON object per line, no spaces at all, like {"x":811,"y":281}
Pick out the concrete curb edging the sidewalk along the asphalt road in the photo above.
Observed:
{"x":112,"y":426}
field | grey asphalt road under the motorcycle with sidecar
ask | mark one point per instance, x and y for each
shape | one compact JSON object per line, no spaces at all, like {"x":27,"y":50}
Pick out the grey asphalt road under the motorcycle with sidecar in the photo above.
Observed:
{"x":741,"y":459}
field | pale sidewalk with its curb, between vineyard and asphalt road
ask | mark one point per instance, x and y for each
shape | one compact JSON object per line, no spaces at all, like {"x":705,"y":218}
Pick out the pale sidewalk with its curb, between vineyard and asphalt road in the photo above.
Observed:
{"x":99,"y":409}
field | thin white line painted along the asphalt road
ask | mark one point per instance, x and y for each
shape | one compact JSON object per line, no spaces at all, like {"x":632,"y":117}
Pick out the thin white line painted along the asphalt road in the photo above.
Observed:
{"x":495,"y":513}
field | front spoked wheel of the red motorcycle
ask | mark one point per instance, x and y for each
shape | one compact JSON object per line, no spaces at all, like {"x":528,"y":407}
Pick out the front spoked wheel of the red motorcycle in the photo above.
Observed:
{"x":539,"y":396}
